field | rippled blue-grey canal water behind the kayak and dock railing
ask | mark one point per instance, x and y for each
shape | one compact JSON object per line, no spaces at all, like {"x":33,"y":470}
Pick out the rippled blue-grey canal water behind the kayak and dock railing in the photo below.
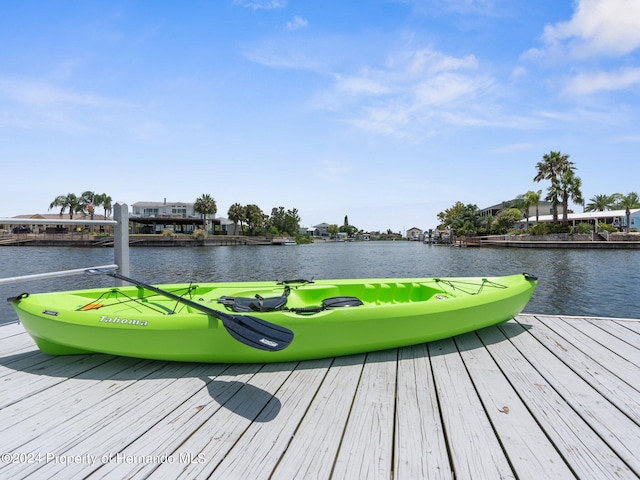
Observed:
{"x":603,"y":283}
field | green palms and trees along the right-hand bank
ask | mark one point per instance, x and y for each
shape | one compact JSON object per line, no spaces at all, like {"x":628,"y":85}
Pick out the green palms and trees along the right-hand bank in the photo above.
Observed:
{"x":565,"y":186}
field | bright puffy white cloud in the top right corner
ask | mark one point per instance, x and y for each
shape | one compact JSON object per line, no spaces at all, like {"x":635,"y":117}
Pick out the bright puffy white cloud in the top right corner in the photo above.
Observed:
{"x":598,"y":27}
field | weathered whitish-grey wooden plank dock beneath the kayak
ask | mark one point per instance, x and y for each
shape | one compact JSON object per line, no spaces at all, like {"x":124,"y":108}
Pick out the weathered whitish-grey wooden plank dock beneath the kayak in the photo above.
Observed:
{"x":539,"y":397}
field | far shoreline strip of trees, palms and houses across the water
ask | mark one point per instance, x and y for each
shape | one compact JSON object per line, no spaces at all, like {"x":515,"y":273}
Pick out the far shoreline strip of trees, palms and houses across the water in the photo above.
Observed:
{"x":459,"y":225}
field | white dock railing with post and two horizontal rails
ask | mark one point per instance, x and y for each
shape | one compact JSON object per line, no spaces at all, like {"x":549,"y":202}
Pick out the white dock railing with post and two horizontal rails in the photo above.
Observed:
{"x":120,"y":224}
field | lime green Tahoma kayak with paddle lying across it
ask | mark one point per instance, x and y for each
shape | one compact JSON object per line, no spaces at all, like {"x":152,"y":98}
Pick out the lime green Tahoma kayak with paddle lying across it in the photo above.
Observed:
{"x":247,"y":322}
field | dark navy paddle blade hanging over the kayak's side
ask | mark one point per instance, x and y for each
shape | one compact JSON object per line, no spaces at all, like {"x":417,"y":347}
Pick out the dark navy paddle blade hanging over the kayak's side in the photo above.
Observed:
{"x":256,"y":333}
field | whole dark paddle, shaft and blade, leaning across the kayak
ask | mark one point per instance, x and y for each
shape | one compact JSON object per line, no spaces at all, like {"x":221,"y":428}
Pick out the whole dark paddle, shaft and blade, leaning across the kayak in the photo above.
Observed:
{"x":251,"y":331}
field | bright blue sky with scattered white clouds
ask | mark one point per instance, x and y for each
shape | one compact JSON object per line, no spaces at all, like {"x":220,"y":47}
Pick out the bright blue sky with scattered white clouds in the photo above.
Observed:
{"x":386,"y":111}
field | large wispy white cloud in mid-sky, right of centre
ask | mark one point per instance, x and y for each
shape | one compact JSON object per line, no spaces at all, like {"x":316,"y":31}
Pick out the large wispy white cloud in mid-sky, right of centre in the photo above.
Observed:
{"x":411,"y":94}
